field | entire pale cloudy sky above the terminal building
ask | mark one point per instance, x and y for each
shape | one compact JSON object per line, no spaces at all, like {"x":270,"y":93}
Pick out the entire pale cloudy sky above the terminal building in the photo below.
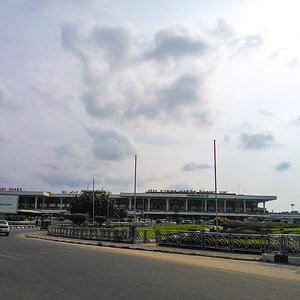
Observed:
{"x":86,"y":85}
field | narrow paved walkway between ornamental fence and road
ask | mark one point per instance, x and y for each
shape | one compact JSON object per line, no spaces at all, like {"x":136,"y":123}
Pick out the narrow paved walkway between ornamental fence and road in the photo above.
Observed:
{"x":145,"y":247}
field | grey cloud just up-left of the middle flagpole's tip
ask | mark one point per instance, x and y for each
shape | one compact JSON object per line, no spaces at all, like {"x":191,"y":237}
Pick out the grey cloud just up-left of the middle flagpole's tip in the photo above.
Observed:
{"x":110,"y":145}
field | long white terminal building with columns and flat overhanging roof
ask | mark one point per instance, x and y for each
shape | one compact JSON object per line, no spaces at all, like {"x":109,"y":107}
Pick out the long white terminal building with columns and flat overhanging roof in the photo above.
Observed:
{"x":152,"y":204}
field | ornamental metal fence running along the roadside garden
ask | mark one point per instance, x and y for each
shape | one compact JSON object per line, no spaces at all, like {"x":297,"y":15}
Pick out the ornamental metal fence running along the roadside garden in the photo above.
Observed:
{"x":251,"y":243}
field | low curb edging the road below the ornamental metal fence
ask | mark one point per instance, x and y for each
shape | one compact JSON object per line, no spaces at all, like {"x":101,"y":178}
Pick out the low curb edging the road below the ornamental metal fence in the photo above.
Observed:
{"x":143,"y":249}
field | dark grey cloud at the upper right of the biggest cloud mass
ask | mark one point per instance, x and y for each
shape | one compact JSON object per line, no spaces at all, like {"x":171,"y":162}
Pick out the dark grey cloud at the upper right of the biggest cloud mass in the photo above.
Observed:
{"x":175,"y":43}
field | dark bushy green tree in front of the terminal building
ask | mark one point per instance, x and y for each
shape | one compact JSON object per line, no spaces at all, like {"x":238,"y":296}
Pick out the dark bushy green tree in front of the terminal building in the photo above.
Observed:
{"x":84,"y":204}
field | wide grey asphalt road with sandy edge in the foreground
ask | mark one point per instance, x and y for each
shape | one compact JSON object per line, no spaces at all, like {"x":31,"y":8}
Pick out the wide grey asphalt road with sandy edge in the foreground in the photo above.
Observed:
{"x":36,"y":269}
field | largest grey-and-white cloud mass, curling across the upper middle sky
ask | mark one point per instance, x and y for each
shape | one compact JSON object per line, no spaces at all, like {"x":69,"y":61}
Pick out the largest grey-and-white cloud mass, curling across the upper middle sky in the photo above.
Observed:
{"x":115,"y":62}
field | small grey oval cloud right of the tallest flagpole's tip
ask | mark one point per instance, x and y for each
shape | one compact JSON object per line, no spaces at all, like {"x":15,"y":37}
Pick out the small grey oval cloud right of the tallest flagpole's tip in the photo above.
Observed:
{"x":256,"y":141}
